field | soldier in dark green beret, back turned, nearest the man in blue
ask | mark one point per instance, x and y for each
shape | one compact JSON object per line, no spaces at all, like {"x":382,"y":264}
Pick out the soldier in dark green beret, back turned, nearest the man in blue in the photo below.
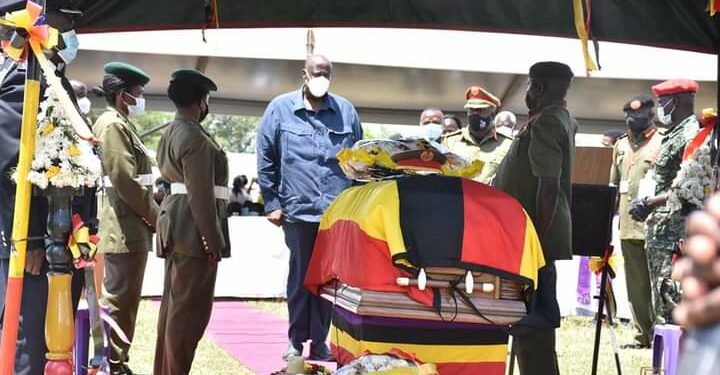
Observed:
{"x":192,"y":225}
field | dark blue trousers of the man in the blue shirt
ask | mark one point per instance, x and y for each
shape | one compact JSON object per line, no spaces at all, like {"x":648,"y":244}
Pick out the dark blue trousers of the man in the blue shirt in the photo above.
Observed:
{"x":309,"y":314}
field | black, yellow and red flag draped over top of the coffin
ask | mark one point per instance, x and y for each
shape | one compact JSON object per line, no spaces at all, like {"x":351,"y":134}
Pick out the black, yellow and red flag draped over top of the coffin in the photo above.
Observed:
{"x":374,"y":233}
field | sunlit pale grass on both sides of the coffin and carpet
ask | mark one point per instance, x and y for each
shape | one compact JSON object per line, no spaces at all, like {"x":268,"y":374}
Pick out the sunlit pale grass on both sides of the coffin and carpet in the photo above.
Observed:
{"x":575,"y":342}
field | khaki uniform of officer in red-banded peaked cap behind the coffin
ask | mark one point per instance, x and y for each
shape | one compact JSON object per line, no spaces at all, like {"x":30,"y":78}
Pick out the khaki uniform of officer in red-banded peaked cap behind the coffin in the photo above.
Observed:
{"x":491,"y":150}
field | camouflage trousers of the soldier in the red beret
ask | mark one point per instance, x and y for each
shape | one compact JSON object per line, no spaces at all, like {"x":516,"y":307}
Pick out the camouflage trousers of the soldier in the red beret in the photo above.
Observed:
{"x":663,"y":232}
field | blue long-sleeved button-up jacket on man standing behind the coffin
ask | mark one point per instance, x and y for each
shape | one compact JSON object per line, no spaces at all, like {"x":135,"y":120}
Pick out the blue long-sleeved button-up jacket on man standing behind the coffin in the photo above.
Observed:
{"x":298,"y":169}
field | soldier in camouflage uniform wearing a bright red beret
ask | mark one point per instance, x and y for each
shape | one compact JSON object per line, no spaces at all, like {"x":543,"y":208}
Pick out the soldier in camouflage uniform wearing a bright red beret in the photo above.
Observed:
{"x":664,"y":228}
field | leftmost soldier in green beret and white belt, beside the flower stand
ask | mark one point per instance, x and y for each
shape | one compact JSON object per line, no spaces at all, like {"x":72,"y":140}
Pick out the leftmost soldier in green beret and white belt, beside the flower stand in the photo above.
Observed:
{"x":127,"y":209}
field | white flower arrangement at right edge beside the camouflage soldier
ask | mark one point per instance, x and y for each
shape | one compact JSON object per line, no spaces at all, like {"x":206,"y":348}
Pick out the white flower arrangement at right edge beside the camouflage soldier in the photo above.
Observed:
{"x":693,"y":183}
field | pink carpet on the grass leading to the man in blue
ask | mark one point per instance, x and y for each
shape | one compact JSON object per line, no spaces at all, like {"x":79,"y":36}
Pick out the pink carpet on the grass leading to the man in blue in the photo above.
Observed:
{"x":256,"y":338}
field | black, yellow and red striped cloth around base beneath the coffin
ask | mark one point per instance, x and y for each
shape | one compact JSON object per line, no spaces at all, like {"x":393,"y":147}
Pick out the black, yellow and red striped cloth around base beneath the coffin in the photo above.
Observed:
{"x":455,"y":348}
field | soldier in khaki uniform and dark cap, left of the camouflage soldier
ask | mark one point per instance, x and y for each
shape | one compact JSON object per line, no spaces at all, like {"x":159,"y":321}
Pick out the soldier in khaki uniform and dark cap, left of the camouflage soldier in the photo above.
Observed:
{"x":633,"y":156}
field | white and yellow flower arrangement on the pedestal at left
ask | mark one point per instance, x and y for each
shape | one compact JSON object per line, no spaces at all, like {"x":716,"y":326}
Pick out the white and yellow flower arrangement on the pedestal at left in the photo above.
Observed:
{"x":62,"y":159}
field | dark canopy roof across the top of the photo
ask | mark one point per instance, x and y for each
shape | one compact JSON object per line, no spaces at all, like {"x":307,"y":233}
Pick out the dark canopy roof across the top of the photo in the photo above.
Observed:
{"x":664,"y":23}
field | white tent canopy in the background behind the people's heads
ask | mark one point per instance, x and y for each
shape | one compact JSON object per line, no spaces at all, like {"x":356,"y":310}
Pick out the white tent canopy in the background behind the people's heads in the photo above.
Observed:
{"x":392,"y":74}
